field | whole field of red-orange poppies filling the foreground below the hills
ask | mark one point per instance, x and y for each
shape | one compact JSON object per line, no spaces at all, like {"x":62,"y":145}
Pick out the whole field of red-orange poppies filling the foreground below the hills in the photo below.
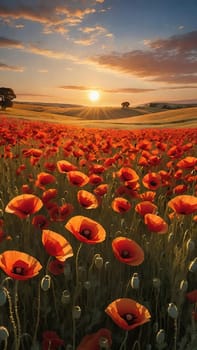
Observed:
{"x":98,"y":237}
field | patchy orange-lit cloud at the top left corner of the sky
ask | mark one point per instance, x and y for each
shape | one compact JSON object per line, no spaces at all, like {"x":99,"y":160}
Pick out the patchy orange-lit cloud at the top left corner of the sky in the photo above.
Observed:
{"x":51,"y":14}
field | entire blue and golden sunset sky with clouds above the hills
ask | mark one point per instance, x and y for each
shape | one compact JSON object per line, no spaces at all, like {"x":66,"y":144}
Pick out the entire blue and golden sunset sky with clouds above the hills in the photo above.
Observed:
{"x":135,"y":50}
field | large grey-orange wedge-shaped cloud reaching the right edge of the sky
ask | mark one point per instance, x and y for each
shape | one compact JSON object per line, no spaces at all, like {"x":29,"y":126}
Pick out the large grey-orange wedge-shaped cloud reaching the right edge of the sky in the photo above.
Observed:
{"x":171,"y":60}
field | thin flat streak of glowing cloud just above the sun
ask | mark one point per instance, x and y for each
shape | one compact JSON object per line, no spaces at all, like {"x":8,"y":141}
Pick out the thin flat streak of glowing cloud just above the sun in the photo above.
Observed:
{"x":118,"y":90}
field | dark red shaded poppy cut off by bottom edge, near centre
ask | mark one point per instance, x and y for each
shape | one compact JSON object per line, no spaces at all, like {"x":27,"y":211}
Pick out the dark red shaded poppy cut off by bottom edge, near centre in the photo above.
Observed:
{"x":91,"y":341}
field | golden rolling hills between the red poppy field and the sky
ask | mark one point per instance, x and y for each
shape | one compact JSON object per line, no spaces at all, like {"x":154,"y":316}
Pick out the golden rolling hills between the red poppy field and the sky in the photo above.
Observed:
{"x":106,"y":117}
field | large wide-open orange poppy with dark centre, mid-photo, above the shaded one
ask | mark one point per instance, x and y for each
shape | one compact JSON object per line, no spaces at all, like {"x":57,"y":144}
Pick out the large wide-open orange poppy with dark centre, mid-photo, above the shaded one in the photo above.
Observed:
{"x":86,"y":230}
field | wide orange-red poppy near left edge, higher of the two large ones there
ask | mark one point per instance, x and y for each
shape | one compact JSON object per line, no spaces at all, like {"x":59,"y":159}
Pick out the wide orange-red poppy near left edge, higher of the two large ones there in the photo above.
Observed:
{"x":24,"y":205}
